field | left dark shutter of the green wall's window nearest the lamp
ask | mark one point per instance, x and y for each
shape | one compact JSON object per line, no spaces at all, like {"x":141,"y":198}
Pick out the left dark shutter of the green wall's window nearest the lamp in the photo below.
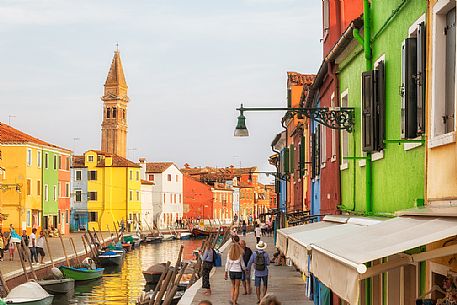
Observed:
{"x":367,"y":111}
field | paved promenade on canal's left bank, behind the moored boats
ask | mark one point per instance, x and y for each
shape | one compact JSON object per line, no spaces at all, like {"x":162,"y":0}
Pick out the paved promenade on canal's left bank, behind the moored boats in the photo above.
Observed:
{"x":11,"y":269}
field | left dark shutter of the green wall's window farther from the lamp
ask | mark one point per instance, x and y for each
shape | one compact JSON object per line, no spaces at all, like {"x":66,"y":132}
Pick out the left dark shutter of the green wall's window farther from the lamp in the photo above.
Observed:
{"x":409,"y":94}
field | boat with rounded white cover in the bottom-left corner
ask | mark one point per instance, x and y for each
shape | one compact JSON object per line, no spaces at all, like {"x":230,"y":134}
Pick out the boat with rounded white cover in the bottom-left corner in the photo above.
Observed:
{"x":30,"y":293}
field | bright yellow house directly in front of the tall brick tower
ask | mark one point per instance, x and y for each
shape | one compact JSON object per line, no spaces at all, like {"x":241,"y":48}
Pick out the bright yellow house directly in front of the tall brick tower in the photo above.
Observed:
{"x":113,"y":190}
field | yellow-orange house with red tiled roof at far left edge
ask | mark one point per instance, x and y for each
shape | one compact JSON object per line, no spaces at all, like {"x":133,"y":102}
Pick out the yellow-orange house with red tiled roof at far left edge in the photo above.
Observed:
{"x":21,"y":157}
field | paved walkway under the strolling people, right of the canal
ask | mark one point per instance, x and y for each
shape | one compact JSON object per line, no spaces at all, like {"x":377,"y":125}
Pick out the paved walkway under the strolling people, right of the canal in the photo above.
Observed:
{"x":284,"y":282}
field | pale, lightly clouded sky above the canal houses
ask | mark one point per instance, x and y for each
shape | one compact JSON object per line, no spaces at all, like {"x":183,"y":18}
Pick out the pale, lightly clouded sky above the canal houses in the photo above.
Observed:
{"x":188,"y":65}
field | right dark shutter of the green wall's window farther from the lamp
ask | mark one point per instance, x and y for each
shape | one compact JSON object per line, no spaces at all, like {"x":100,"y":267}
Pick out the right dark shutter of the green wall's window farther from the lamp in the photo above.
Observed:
{"x":420,"y":78}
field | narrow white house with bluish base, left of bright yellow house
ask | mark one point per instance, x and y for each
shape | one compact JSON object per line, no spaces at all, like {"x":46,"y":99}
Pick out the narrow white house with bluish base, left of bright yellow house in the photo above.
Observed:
{"x":78,"y":197}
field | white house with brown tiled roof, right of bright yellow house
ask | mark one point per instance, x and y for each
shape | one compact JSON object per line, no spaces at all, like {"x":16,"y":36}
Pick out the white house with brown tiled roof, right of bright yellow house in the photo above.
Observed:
{"x":167,"y":190}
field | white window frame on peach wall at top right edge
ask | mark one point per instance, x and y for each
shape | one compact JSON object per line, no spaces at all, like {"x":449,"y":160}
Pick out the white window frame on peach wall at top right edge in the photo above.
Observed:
{"x":437,"y":135}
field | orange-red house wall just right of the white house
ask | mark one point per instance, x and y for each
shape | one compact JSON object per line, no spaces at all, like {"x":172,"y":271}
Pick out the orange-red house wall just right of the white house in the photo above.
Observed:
{"x":198,"y":199}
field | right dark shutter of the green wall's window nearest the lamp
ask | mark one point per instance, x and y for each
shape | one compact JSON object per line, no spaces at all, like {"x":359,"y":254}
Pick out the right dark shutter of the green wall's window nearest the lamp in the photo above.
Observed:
{"x":380,"y":104}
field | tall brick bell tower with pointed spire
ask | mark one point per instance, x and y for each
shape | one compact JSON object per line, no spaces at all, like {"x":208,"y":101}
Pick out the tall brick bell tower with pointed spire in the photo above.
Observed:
{"x":115,"y":100}
